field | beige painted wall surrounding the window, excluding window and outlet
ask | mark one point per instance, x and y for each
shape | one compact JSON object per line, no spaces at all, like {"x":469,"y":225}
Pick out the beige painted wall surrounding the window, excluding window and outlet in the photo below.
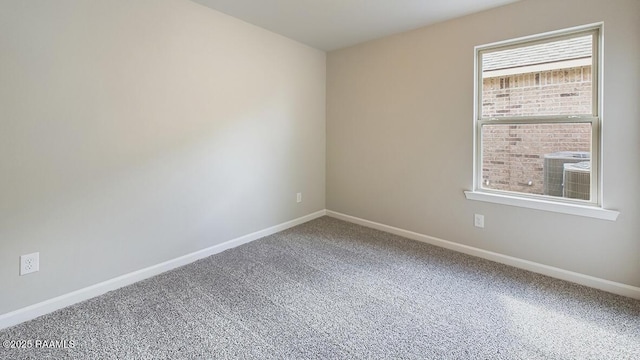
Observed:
{"x":399,"y":138}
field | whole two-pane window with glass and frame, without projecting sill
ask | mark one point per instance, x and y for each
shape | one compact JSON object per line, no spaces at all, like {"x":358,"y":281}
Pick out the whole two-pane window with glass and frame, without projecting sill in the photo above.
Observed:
{"x":537,"y":118}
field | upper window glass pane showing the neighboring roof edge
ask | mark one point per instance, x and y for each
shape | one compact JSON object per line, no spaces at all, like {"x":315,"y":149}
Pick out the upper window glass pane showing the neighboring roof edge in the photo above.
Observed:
{"x":553,"y":78}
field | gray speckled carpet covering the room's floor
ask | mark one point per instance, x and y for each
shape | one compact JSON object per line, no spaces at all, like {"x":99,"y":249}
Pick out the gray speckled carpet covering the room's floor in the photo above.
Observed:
{"x":329,"y":289}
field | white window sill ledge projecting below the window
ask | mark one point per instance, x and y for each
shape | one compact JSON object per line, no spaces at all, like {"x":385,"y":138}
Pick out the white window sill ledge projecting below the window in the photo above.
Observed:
{"x":571,"y":209}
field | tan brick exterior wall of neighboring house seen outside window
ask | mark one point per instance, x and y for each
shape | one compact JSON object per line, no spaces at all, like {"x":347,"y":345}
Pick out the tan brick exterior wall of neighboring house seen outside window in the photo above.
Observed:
{"x":513,"y":155}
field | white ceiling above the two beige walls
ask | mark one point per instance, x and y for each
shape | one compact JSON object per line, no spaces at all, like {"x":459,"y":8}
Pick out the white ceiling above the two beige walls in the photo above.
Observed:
{"x":334,"y":24}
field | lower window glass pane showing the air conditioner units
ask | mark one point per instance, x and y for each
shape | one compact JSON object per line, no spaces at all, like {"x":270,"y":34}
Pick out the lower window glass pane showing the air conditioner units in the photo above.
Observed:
{"x":544,"y":159}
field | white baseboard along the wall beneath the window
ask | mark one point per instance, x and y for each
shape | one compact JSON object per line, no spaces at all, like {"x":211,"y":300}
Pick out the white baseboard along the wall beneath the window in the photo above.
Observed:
{"x":586,"y":280}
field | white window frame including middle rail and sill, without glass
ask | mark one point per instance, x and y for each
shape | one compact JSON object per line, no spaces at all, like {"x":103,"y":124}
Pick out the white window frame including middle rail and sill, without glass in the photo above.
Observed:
{"x":590,"y":208}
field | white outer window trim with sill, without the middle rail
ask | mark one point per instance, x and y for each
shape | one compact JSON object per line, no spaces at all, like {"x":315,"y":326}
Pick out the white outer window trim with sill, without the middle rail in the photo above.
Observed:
{"x":592,"y":209}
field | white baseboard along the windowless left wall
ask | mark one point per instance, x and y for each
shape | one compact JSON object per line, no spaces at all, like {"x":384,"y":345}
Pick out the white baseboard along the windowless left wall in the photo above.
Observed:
{"x":62,"y":301}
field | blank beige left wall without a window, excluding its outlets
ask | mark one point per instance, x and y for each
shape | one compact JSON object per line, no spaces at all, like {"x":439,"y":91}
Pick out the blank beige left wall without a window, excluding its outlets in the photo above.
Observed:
{"x":134,"y":132}
